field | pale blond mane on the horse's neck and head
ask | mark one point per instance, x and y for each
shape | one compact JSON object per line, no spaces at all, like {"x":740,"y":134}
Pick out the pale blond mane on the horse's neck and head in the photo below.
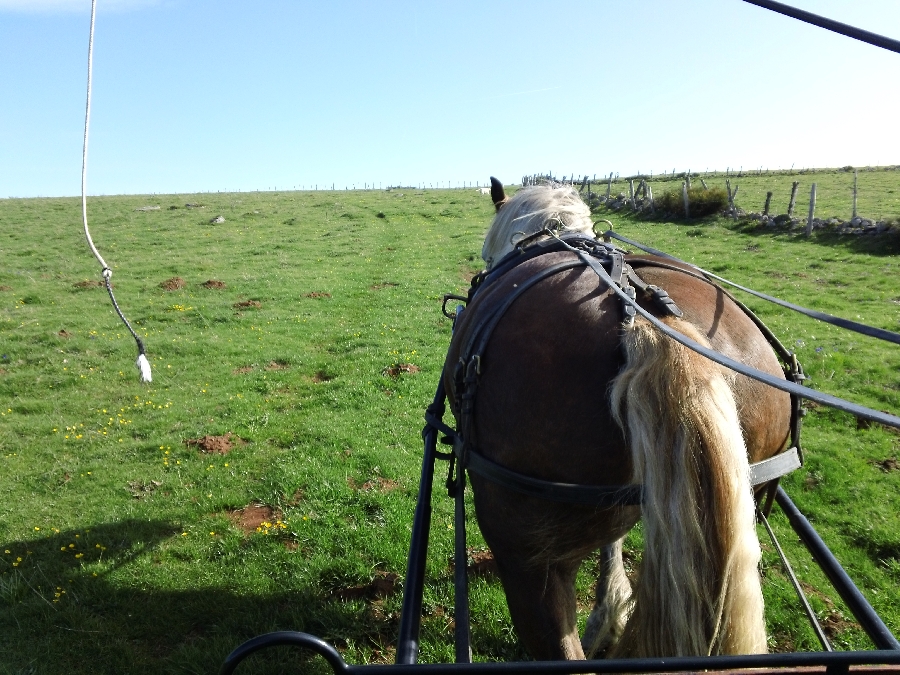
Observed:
{"x":530,"y":210}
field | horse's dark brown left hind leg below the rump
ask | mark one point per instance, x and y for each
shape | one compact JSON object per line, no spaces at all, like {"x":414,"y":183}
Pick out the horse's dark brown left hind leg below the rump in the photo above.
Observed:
{"x":541,"y":600}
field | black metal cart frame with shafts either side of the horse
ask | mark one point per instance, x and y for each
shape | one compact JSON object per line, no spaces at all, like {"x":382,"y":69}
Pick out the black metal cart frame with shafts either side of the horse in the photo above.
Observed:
{"x":887,"y":651}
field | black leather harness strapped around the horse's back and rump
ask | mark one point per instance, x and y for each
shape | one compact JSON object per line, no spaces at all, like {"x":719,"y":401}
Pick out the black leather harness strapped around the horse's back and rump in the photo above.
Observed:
{"x":468,"y":368}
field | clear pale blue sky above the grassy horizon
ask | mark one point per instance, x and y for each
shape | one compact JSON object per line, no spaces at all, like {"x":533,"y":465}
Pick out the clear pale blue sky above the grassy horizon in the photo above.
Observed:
{"x":196,"y":95}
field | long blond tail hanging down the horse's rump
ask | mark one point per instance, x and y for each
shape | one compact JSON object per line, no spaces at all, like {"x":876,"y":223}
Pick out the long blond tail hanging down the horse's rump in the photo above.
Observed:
{"x":698,"y":591}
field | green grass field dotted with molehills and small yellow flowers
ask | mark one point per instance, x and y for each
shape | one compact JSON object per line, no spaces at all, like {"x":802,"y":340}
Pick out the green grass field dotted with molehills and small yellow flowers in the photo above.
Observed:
{"x":266,"y":479}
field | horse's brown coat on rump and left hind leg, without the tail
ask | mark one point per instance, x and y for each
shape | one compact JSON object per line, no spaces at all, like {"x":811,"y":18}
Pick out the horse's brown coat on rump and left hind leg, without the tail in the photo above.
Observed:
{"x":542,"y":409}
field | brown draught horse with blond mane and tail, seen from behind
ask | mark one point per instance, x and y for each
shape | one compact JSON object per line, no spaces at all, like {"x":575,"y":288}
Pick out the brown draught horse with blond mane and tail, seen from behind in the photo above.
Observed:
{"x":571,"y":390}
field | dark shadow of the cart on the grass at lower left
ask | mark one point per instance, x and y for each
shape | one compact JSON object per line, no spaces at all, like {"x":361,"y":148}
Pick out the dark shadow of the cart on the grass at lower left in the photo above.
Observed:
{"x":56,"y":615}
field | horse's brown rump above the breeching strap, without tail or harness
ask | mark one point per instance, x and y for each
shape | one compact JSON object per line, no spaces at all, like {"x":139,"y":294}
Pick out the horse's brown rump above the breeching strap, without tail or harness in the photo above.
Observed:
{"x":546,"y":371}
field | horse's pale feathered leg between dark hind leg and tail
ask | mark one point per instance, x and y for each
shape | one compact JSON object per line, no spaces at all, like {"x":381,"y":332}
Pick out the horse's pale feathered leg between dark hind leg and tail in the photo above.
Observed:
{"x":612,"y":605}
